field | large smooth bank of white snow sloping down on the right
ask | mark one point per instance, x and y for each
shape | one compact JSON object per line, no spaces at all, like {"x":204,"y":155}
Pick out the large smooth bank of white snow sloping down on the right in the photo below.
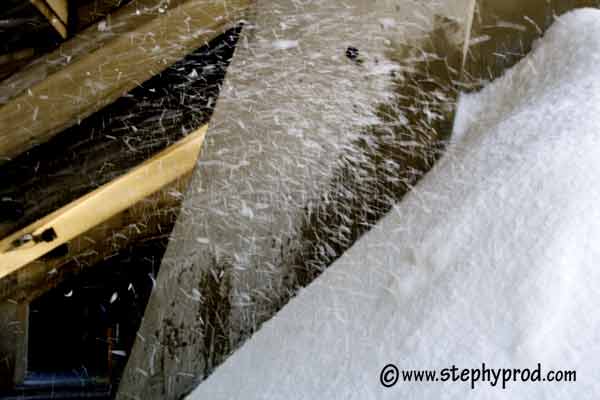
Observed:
{"x":492,"y":258}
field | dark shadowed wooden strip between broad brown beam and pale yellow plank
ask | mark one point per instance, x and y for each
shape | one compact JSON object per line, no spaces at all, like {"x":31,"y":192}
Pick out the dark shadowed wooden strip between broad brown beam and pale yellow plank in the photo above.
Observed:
{"x":122,"y":135}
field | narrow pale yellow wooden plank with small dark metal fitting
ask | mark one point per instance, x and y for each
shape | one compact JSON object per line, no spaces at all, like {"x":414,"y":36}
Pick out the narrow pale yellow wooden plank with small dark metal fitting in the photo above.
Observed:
{"x":67,"y":223}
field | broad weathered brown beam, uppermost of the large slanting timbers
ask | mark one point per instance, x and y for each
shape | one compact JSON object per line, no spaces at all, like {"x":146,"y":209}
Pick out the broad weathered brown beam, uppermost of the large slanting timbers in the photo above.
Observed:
{"x":100,"y":65}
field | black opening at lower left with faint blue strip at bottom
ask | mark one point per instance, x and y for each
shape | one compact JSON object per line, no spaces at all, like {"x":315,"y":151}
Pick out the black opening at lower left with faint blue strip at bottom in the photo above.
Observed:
{"x":81,"y":333}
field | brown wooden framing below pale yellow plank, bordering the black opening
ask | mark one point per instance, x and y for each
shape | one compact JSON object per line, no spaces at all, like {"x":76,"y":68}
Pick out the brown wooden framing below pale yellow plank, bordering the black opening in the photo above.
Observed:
{"x":149,"y":220}
